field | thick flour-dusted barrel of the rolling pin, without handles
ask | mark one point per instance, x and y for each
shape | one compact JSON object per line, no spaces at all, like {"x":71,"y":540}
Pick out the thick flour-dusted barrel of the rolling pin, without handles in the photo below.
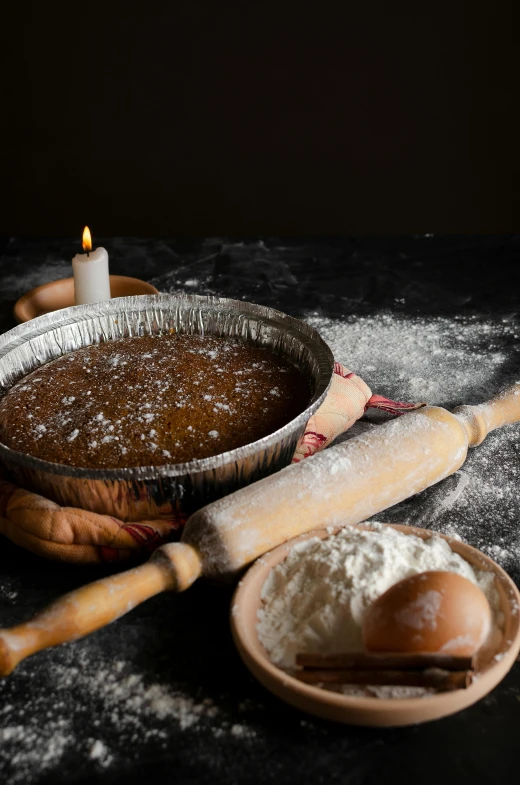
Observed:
{"x":344,"y":484}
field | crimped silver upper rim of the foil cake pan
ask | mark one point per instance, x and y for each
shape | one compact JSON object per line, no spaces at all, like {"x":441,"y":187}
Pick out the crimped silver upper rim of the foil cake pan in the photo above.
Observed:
{"x":66,"y":316}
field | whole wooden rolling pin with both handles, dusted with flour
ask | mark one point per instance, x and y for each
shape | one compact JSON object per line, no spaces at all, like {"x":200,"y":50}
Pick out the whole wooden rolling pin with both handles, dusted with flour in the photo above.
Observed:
{"x":344,"y":484}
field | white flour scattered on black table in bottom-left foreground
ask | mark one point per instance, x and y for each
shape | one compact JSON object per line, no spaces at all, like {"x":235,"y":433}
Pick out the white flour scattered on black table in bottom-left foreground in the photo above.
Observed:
{"x":86,"y":695}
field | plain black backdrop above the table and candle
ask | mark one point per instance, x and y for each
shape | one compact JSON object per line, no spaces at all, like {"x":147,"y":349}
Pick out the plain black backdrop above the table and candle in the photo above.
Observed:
{"x":200,"y":118}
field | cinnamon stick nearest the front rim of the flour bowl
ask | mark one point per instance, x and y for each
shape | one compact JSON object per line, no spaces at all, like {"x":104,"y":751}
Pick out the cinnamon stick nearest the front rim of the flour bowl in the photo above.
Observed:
{"x":436,"y":678}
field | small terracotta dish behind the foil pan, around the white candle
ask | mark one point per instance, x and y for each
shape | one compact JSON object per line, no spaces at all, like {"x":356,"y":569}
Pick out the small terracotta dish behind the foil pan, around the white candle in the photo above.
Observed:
{"x":60,"y":294}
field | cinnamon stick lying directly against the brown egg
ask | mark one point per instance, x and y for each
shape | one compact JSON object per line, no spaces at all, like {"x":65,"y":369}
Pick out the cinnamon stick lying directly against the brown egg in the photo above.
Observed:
{"x":401,"y":661}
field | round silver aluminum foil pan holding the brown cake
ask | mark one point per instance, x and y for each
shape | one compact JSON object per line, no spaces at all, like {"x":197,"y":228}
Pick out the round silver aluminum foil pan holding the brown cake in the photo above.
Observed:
{"x":147,"y":492}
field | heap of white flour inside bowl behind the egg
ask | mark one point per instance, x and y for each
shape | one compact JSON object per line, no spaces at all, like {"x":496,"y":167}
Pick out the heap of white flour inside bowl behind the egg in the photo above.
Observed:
{"x":315,"y":600}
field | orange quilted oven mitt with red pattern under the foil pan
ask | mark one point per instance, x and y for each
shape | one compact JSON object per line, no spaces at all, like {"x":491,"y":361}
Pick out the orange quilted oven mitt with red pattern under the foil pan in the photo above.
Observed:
{"x":73,"y":535}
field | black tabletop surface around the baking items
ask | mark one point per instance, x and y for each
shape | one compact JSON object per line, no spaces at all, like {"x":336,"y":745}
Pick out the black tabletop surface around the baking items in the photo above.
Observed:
{"x":91,"y":711}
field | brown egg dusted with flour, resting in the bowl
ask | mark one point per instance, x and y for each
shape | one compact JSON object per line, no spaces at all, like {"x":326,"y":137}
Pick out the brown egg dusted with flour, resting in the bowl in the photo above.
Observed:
{"x":432,"y":611}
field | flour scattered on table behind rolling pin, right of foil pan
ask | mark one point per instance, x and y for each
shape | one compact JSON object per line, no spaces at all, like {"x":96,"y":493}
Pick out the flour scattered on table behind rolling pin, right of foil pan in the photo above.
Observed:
{"x":440,"y":360}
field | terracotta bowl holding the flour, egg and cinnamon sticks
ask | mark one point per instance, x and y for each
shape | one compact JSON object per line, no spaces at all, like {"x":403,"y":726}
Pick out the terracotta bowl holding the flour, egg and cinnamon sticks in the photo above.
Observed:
{"x":372,"y":711}
